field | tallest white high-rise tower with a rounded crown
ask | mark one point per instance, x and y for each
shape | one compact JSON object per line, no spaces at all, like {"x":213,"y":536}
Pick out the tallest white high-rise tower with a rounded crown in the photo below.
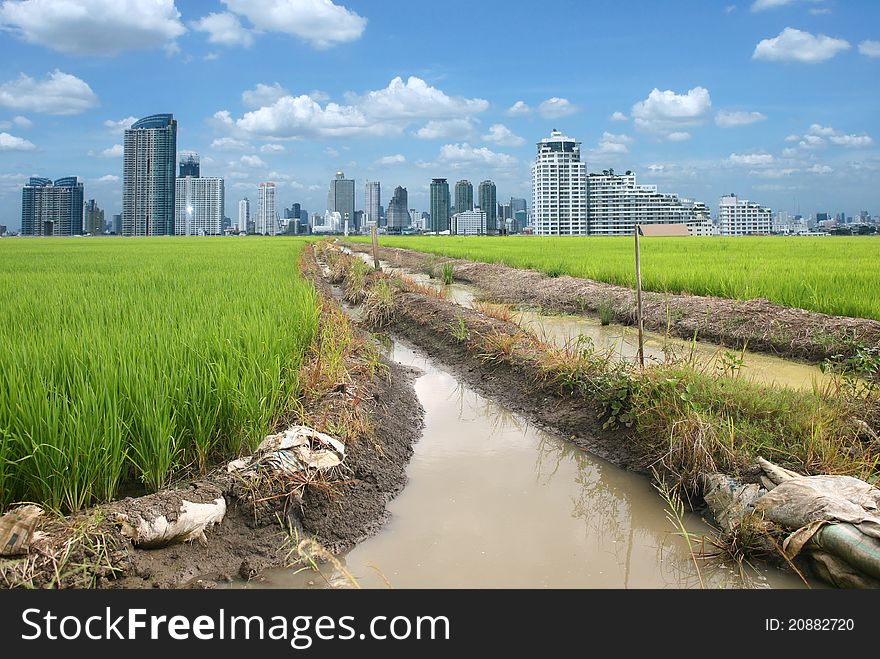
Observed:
{"x":559,"y":188}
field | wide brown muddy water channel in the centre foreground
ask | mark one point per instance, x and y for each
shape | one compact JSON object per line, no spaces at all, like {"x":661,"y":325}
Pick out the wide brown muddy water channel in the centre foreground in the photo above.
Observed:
{"x":492,"y":502}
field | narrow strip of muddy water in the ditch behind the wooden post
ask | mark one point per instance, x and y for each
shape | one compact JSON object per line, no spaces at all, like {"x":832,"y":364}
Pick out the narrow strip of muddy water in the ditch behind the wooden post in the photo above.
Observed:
{"x":622,"y":342}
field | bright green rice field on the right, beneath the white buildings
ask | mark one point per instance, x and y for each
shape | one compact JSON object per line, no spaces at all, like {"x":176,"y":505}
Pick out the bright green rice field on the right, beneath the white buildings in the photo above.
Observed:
{"x":833,"y":275}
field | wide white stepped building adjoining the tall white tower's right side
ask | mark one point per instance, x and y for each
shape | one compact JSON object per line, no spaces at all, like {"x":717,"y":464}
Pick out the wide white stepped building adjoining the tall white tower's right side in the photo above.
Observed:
{"x":616,"y":205}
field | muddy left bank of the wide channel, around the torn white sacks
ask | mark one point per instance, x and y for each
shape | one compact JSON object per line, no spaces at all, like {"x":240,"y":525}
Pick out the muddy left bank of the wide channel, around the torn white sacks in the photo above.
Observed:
{"x":383,"y":418}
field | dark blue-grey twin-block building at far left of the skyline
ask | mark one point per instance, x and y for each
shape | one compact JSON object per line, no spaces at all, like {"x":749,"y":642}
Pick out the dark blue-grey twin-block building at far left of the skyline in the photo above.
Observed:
{"x":52,"y":209}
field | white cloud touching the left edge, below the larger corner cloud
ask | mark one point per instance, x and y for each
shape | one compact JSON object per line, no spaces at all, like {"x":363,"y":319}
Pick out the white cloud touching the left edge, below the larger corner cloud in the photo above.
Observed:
{"x":59,"y":93}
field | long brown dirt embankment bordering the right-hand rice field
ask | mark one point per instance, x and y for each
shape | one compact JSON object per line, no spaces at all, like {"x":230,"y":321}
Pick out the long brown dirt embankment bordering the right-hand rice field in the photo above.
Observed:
{"x":758,"y":324}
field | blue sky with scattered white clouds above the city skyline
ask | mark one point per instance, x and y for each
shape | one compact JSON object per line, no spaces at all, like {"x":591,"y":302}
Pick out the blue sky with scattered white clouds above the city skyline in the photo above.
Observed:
{"x":775,"y":100}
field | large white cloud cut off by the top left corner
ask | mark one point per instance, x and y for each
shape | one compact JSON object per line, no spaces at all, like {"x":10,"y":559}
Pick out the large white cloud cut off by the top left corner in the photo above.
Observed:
{"x":97,"y":27}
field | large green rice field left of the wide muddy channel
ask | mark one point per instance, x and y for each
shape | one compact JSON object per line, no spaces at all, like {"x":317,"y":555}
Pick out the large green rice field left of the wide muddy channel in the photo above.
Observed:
{"x":126,"y":361}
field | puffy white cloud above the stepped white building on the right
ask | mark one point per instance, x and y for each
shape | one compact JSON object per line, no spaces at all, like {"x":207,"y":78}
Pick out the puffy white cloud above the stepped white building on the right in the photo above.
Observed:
{"x":667,"y":113}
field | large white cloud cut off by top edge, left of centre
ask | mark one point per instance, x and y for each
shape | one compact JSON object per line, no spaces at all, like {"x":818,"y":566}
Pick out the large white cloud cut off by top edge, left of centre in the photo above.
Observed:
{"x":318,"y":22}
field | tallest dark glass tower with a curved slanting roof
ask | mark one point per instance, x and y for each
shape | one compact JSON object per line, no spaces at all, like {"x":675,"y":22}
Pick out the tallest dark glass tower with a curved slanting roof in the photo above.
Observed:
{"x":149,"y":177}
